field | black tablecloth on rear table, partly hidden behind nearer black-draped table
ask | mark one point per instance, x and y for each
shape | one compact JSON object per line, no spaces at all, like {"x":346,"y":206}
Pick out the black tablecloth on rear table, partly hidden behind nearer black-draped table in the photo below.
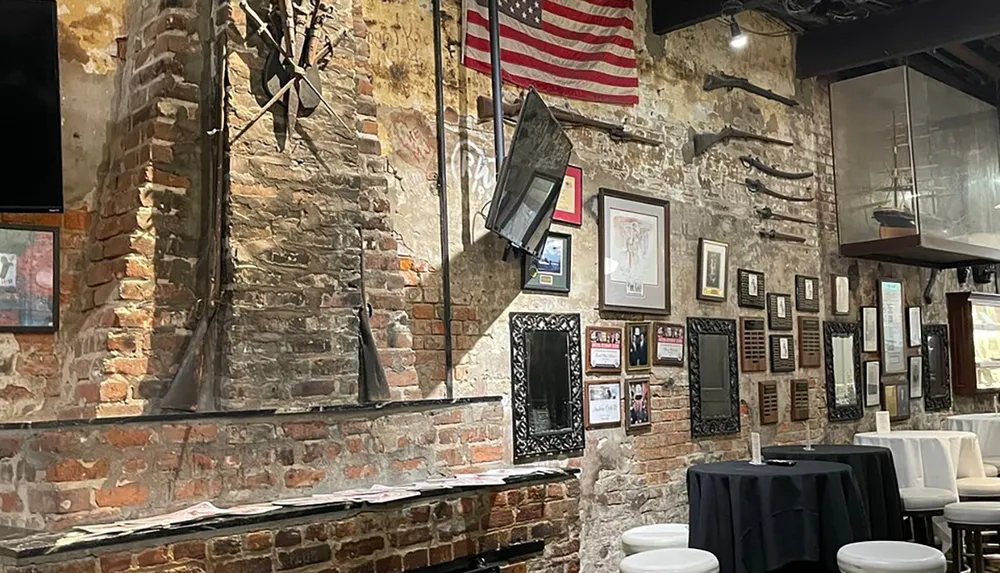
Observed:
{"x":876,"y":475}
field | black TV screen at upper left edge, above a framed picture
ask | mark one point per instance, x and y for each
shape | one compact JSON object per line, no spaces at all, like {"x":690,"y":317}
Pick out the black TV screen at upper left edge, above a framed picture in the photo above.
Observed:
{"x":31,"y":153}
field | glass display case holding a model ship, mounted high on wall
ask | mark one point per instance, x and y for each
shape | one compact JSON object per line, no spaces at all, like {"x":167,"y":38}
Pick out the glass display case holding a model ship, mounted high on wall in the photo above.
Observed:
{"x":917,"y":170}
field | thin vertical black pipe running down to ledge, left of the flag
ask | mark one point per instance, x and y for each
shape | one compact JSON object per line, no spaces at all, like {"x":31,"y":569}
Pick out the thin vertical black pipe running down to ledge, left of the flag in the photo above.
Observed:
{"x":442,"y":184}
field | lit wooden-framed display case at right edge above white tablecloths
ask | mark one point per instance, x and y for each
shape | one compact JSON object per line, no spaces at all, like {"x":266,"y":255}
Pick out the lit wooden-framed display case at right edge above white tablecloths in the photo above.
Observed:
{"x":974,"y":320}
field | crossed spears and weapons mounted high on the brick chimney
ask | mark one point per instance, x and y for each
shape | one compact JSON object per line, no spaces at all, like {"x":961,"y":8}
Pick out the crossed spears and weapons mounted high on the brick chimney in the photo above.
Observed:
{"x":299,"y":69}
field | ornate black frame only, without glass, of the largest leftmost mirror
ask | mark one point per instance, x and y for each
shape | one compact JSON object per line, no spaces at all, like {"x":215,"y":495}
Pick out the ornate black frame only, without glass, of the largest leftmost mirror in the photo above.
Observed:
{"x":571,"y":439}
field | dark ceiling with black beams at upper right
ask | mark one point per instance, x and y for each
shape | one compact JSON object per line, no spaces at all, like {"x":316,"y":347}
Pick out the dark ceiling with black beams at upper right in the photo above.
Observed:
{"x":956,"y":41}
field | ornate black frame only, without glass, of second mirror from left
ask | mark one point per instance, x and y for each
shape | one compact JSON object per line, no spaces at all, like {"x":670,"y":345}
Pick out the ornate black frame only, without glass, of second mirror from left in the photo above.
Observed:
{"x":701,"y":426}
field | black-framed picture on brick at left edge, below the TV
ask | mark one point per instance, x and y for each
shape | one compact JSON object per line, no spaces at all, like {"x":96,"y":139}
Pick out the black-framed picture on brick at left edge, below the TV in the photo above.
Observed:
{"x":29,"y":278}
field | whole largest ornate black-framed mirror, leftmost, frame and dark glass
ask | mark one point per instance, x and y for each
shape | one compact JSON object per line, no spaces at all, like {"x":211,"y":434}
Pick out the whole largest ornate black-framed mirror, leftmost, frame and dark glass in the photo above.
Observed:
{"x":546,"y":384}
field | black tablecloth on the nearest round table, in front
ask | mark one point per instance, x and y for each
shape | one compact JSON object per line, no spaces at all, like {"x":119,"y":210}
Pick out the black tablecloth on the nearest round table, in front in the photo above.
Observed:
{"x":756,"y":519}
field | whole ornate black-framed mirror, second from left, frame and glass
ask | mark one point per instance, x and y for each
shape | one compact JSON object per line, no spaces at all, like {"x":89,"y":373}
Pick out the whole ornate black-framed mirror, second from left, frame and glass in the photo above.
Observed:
{"x":713,"y":377}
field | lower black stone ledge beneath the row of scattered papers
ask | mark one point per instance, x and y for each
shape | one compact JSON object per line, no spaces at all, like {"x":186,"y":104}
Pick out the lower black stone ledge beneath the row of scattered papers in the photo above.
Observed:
{"x":24,"y":547}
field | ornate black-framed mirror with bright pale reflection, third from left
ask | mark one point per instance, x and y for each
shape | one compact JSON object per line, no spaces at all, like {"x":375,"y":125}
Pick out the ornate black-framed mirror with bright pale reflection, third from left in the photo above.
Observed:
{"x":842,"y":350}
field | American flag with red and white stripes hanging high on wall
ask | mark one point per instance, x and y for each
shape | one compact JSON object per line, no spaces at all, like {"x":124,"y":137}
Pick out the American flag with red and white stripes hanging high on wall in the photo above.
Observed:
{"x":580,"y":49}
